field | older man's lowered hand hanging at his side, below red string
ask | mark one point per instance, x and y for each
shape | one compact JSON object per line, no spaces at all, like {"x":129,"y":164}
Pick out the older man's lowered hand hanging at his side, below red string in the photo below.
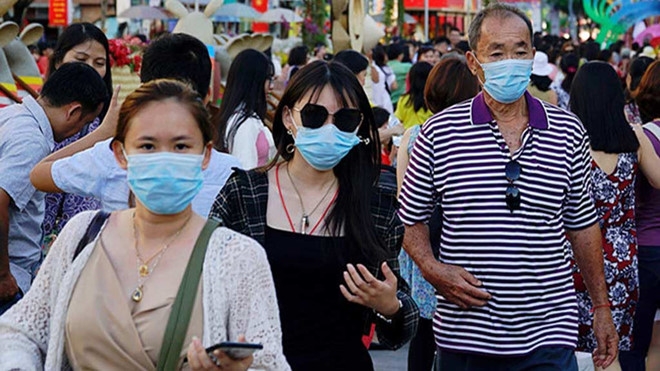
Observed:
{"x":607,"y":339}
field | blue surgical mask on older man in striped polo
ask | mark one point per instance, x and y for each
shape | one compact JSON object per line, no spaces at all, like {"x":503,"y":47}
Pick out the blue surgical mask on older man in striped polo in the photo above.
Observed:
{"x":507,"y":80}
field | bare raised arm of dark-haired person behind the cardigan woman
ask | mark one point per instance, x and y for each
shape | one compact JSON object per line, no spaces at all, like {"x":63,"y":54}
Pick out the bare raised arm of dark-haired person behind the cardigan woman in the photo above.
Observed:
{"x":41,"y":175}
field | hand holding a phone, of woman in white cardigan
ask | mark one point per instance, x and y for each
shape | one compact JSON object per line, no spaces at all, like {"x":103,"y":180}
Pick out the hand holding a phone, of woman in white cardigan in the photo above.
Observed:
{"x":199,"y":360}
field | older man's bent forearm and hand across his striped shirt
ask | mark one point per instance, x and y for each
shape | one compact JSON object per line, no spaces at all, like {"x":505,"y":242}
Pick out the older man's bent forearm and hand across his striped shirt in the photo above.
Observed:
{"x":454,"y":283}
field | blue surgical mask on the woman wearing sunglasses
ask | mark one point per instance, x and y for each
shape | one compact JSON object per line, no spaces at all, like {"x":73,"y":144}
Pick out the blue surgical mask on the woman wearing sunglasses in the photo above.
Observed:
{"x":324,"y":147}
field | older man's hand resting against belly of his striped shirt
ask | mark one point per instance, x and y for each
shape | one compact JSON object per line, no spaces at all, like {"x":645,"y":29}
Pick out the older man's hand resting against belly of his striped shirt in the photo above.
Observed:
{"x":456,"y":284}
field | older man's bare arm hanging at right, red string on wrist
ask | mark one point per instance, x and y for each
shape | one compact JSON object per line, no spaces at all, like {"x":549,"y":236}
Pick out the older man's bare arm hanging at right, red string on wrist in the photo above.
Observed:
{"x":587,"y":248}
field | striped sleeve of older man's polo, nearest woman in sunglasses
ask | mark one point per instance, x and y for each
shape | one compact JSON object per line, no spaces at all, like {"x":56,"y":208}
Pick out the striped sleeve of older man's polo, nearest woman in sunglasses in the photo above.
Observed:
{"x":417,"y":192}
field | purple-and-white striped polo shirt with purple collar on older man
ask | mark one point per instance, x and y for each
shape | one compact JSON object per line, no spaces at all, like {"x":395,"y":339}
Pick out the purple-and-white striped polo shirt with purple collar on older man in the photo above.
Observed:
{"x":458,"y":160}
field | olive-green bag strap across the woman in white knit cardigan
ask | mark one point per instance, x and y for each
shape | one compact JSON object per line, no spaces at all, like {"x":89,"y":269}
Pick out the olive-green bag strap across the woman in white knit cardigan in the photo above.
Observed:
{"x":177,"y":325}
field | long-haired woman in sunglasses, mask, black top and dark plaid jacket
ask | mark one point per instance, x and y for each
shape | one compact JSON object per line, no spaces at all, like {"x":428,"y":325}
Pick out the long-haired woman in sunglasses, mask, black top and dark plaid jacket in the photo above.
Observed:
{"x":329,"y":230}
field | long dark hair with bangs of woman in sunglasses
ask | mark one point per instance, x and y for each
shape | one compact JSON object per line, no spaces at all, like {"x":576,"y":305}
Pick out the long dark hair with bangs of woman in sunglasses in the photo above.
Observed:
{"x":358,"y":172}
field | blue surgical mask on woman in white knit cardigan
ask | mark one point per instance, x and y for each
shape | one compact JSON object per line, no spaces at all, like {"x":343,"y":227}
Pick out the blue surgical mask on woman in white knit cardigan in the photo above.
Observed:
{"x":165,"y":182}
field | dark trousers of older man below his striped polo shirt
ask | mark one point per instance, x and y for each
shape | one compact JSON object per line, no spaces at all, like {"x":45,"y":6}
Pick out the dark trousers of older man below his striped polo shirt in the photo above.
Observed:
{"x":542,"y":359}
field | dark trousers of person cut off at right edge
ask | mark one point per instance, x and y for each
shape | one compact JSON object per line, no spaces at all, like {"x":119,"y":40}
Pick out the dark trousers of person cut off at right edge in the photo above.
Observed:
{"x":649,"y":302}
